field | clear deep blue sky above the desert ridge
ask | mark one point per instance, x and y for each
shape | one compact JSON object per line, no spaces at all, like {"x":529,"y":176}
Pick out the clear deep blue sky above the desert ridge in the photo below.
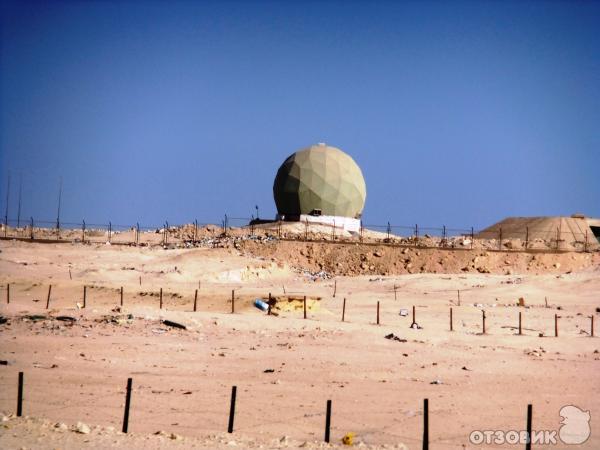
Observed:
{"x":459,"y":113}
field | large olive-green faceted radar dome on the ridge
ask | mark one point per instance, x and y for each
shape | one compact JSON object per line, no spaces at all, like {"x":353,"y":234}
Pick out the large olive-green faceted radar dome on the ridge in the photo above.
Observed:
{"x":320,"y":178}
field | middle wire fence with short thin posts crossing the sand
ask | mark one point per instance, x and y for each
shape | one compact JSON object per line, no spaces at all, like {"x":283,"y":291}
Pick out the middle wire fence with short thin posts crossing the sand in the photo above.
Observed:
{"x":462,"y":316}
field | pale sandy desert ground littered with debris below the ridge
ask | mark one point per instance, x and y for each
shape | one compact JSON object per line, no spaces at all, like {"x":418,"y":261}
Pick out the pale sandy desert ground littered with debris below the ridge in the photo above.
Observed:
{"x":286,"y":367}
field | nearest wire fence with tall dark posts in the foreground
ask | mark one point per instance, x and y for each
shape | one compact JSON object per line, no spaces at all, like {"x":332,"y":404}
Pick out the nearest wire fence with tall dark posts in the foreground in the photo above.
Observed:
{"x":247,"y":414}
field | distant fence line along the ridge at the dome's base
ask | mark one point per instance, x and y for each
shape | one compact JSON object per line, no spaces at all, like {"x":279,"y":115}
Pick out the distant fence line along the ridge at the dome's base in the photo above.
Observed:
{"x":402,"y":235}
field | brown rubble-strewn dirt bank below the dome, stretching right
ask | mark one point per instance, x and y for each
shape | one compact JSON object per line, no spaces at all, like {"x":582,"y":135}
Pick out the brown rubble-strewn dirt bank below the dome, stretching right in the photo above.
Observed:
{"x":367,"y":259}
